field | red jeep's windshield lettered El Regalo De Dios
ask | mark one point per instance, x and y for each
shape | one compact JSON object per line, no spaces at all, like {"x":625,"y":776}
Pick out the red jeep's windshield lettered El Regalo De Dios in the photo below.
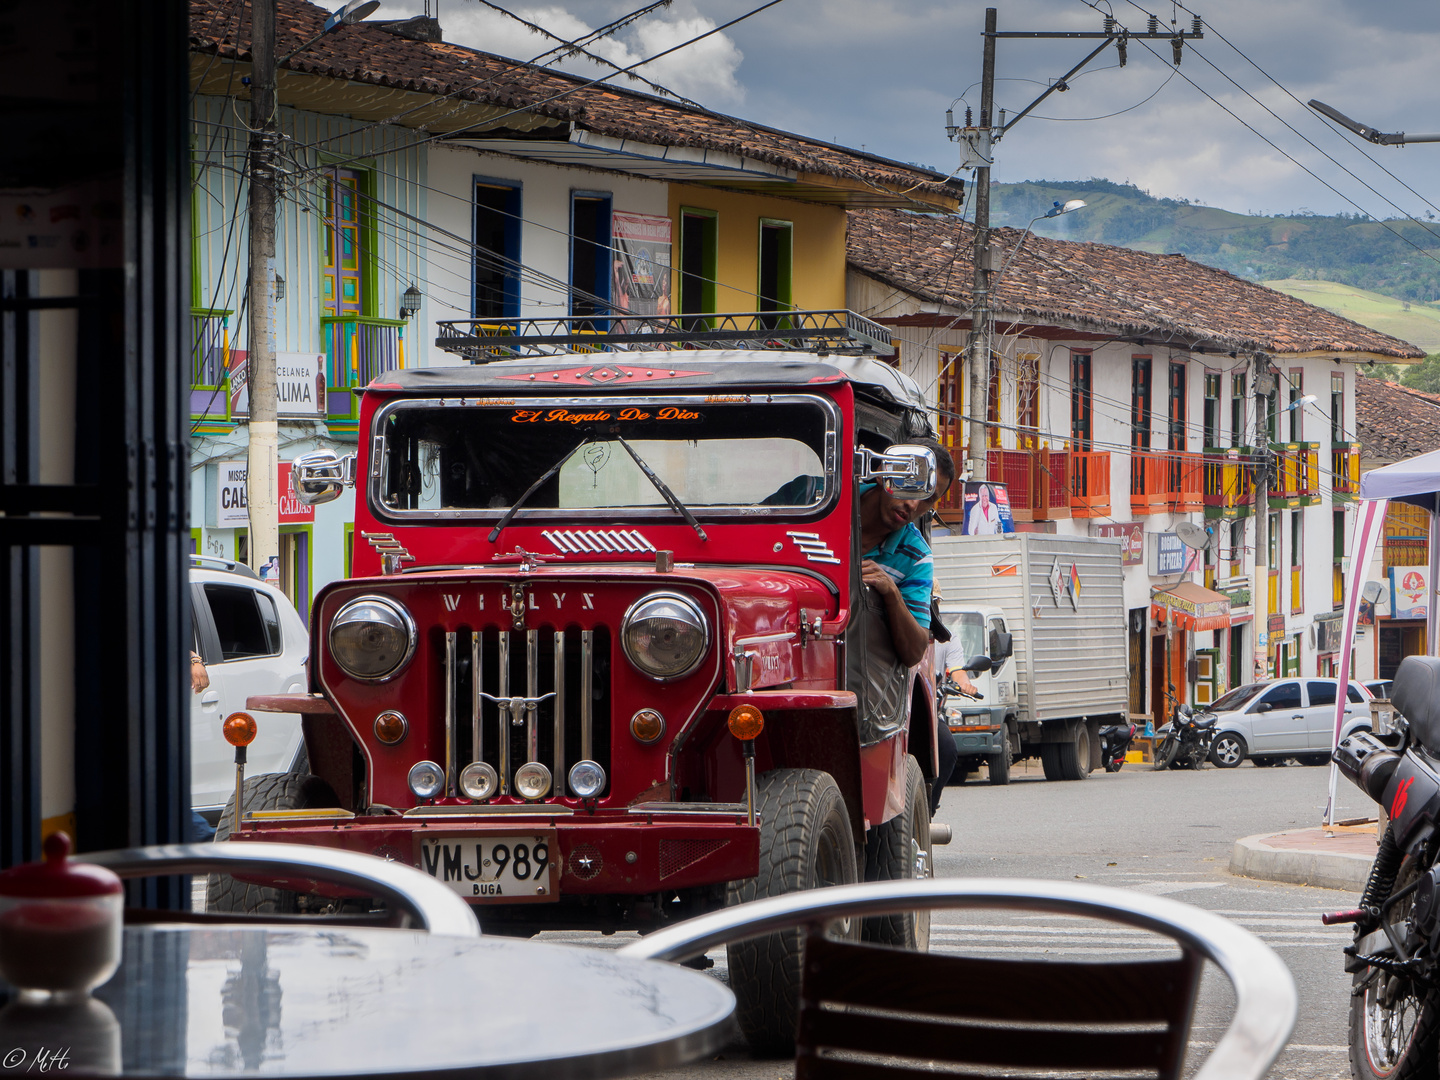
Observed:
{"x":719,"y":459}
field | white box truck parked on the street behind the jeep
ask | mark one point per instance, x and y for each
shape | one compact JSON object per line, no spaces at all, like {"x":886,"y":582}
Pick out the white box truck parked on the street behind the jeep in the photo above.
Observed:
{"x":1049,"y":613}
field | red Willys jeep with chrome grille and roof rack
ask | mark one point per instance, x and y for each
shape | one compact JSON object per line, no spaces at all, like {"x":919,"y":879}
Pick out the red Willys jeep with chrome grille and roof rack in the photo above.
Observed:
{"x":607,"y":662}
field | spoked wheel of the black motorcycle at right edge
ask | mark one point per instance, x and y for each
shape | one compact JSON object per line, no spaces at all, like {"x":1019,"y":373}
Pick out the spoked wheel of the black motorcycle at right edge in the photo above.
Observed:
{"x":1393,"y":1023}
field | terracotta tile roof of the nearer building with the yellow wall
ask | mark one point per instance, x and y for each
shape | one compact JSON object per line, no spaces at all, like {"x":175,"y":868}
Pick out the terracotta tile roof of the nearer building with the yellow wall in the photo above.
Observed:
{"x":375,"y":57}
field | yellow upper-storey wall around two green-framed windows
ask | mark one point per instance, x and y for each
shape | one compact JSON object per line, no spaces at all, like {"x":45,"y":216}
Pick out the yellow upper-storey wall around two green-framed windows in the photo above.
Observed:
{"x":819,"y":254}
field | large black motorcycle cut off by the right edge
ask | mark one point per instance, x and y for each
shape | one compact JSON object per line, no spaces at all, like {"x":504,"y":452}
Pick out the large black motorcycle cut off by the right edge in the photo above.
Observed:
{"x":1395,"y":1007}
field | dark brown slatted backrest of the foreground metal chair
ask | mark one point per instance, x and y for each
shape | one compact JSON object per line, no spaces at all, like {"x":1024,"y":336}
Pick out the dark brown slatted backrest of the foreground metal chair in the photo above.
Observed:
{"x":989,"y":1013}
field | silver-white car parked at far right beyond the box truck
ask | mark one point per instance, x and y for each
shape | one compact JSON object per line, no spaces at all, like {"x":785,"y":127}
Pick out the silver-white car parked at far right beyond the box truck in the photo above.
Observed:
{"x":1284,"y":718}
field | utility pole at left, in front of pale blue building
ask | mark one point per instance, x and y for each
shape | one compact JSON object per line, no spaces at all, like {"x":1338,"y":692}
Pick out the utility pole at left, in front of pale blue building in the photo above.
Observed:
{"x":264,"y":431}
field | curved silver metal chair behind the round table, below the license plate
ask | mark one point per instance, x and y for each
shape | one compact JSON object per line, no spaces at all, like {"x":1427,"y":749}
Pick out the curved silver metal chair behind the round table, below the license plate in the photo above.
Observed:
{"x":426,"y":904}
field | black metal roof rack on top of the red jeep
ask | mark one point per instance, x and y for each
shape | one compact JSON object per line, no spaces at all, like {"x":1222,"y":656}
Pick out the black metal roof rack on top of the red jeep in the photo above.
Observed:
{"x":482,"y":341}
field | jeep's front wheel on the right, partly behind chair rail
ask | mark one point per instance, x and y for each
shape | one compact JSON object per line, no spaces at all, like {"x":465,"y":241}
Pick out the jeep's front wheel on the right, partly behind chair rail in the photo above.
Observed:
{"x":806,"y":843}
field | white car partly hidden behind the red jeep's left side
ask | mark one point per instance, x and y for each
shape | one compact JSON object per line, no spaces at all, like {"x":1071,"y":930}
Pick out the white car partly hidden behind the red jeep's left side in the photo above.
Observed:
{"x":253,"y":642}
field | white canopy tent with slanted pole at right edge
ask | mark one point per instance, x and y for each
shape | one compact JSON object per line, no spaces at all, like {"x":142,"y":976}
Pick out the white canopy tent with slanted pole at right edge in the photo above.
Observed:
{"x":1415,"y":482}
